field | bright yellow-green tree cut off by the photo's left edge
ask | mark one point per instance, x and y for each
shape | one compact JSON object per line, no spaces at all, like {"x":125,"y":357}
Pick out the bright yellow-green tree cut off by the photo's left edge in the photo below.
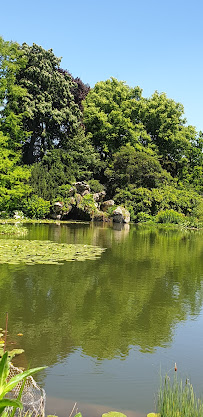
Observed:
{"x":14,"y":179}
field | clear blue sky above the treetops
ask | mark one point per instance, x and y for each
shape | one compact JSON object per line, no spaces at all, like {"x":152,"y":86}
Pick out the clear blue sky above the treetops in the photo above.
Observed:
{"x":155,"y":44}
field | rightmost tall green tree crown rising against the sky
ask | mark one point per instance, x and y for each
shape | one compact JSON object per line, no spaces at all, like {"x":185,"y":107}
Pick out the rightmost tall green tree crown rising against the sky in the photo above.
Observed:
{"x":164,"y":121}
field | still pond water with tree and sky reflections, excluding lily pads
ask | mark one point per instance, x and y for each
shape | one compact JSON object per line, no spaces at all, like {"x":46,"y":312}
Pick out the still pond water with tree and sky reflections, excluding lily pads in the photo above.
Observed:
{"x":107,"y":328}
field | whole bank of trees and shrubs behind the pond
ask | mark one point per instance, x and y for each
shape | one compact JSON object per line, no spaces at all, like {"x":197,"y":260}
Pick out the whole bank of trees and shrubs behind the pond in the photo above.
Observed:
{"x":55,"y":130}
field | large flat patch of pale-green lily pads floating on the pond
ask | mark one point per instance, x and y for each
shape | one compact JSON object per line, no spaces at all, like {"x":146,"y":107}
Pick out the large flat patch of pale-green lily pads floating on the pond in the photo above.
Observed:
{"x":45,"y":252}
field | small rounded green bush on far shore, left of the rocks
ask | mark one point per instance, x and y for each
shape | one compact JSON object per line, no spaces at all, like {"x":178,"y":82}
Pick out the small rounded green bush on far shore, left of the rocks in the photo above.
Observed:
{"x":36,"y":207}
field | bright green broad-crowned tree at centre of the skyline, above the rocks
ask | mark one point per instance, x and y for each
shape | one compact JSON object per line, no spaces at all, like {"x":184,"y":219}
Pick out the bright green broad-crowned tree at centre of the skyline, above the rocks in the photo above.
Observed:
{"x":111,"y":117}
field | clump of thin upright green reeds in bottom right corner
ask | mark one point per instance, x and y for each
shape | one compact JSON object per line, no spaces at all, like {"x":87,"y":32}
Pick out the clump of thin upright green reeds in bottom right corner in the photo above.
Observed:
{"x":176,"y":399}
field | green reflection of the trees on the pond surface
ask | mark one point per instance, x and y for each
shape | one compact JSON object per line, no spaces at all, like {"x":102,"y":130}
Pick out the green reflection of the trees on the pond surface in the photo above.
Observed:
{"x":145,"y":283}
